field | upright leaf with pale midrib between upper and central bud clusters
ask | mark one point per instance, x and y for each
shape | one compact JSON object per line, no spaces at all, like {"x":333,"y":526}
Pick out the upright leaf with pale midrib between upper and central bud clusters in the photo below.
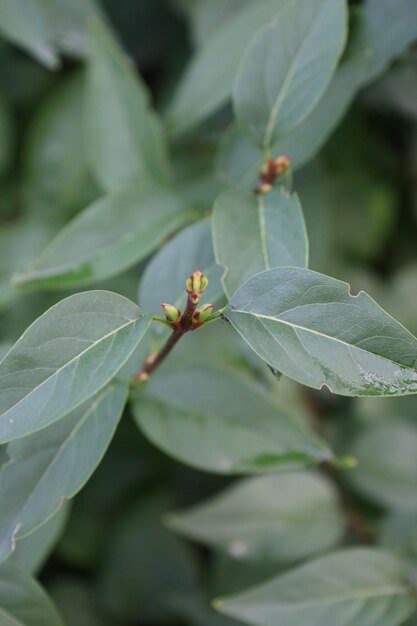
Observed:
{"x":254,"y":232}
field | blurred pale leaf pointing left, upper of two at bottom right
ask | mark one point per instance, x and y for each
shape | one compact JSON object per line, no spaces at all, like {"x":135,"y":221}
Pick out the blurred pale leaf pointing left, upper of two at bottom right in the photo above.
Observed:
{"x":270,"y":518}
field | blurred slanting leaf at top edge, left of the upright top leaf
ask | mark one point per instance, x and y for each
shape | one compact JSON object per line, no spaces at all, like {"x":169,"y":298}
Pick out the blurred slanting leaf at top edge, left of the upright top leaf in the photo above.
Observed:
{"x":207,"y":82}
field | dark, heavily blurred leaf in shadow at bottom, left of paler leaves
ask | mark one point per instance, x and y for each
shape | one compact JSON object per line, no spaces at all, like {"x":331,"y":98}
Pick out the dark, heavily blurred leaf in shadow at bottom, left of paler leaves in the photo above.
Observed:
{"x":132,"y":580}
